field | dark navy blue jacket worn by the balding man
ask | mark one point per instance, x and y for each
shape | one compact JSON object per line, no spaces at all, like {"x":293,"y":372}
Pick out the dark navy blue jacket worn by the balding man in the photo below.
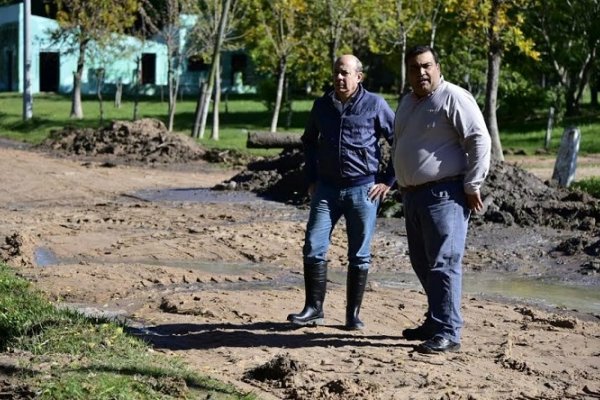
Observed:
{"x":343,"y":148}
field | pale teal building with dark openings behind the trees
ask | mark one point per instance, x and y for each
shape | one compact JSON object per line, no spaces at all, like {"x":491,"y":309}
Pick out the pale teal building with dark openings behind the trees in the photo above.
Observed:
{"x":53,"y":64}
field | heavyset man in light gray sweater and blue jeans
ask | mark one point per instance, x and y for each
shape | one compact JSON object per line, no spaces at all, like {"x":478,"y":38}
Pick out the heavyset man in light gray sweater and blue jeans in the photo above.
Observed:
{"x":441,"y":156}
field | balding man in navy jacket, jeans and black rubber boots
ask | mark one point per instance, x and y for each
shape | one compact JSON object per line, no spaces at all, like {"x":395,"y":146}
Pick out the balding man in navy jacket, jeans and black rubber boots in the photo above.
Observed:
{"x":342,"y":154}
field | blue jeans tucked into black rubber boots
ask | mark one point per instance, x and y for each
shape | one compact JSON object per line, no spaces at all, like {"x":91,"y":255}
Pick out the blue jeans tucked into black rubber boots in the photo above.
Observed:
{"x":327,"y":206}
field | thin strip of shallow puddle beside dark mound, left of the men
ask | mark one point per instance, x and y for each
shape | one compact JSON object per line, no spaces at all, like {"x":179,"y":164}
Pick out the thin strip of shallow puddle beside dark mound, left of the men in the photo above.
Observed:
{"x":197,"y":195}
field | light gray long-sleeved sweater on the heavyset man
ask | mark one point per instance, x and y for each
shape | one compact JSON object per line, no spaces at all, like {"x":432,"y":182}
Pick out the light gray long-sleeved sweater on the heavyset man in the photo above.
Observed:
{"x":439,"y":136}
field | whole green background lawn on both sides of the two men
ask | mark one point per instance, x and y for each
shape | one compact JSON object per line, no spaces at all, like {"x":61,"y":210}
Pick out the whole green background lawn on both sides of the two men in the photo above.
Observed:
{"x":241,"y":113}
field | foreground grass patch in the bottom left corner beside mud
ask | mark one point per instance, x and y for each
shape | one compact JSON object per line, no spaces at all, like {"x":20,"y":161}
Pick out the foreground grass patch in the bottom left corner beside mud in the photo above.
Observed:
{"x":89,"y":358}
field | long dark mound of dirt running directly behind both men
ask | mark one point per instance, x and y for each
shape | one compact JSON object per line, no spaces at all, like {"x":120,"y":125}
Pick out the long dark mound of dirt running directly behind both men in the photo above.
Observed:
{"x":512,"y":196}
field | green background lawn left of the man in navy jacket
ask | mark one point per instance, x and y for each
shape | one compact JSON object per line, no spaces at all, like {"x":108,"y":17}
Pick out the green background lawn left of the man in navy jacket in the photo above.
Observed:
{"x":238,"y":114}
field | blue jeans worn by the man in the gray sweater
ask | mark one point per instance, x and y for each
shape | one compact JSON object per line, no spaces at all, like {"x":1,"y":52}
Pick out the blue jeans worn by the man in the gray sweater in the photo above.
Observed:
{"x":436,"y":226}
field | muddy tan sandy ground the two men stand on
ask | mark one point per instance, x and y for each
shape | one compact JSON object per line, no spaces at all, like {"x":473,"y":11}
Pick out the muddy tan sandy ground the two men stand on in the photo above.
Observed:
{"x":212,"y":281}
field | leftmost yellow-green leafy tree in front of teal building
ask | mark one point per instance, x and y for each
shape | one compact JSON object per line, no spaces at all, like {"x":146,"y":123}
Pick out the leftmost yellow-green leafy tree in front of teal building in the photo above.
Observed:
{"x":82,"y":22}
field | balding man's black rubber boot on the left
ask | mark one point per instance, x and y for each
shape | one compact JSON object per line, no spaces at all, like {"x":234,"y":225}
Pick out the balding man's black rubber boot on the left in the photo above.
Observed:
{"x":315,"y":283}
